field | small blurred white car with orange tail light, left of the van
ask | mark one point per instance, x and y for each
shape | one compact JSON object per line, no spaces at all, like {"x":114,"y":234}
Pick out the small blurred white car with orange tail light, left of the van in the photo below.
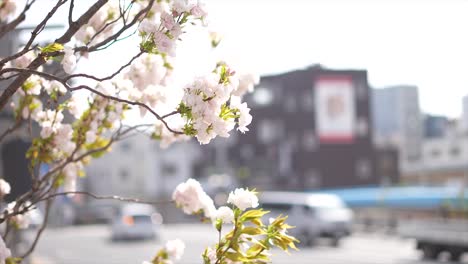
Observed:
{"x":135,"y":221}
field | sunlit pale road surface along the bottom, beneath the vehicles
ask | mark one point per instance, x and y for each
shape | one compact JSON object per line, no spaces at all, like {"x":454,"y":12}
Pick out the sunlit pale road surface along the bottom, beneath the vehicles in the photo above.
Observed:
{"x":91,"y":245}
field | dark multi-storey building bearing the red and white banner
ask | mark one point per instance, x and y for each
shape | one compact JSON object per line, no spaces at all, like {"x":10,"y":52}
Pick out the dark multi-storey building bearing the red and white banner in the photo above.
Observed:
{"x":311,"y":129}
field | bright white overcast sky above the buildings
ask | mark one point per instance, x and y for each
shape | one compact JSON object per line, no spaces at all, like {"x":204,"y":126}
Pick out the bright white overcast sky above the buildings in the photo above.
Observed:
{"x":422,"y":43}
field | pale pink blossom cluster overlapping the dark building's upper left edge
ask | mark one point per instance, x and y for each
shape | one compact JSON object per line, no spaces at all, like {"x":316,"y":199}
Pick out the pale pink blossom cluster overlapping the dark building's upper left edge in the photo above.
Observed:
{"x":212,"y":104}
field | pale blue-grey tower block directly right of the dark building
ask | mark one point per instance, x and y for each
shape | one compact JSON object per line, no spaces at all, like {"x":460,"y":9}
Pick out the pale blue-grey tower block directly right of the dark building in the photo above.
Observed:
{"x":398,"y":122}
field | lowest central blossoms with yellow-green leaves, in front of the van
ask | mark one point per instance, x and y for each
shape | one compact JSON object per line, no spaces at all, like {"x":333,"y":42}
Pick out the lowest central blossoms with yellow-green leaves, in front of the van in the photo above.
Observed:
{"x":249,"y":239}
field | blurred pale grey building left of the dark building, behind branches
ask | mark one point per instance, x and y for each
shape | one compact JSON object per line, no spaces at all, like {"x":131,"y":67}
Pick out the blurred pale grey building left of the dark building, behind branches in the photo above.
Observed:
{"x":138,"y":167}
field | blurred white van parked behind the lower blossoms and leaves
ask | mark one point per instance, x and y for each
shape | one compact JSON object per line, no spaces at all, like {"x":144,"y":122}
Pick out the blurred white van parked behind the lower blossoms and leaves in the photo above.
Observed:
{"x":313,"y":215}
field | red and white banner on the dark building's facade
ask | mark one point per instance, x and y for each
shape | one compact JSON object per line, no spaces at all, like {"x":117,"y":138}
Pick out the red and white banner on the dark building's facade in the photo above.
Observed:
{"x":335,"y":109}
